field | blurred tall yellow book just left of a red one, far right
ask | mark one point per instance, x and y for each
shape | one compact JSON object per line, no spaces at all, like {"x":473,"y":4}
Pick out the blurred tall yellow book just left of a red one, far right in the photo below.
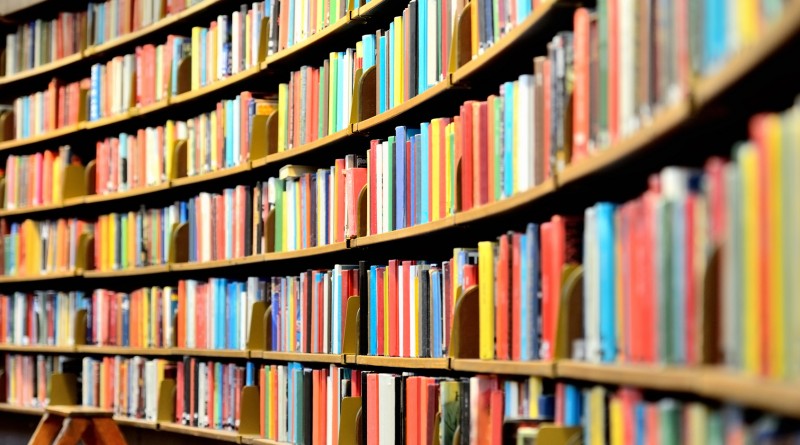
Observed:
{"x":748,"y":163}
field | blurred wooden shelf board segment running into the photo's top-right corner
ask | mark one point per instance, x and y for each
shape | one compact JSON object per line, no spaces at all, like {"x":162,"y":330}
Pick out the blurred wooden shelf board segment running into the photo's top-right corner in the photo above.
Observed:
{"x":708,"y":88}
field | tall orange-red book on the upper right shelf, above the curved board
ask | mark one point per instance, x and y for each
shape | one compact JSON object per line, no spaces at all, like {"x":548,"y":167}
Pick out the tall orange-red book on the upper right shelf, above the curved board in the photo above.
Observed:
{"x":580,"y":115}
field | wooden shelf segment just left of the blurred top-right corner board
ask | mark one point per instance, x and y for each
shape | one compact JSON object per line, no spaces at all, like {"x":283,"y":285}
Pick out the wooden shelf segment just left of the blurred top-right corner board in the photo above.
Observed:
{"x":664,"y":123}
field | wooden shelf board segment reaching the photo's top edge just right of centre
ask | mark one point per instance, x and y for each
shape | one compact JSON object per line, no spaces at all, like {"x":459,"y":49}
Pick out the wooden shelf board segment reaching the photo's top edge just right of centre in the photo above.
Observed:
{"x":513,"y":38}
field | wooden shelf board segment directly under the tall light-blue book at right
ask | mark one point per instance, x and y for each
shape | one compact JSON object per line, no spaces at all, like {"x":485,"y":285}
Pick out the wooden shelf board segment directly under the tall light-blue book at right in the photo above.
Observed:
{"x":656,"y":377}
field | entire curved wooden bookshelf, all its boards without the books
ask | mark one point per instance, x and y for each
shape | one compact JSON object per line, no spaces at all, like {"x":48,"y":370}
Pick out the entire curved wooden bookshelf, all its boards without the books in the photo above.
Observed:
{"x":679,"y":120}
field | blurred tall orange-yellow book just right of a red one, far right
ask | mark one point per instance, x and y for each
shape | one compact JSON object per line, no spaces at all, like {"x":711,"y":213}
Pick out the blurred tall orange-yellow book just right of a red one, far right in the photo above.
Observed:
{"x":776,"y":324}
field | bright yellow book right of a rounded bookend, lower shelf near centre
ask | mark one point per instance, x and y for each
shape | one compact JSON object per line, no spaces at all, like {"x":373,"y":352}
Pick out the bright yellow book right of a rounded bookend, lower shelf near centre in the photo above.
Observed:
{"x":486,"y":298}
